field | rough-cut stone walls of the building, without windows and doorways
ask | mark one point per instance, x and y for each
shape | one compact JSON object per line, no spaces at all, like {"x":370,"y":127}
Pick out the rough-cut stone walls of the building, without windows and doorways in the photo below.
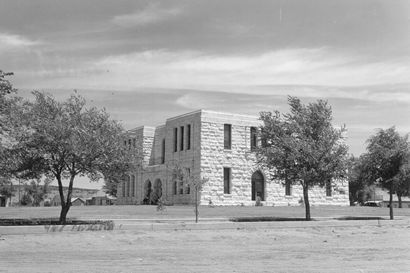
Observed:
{"x":207,"y":159}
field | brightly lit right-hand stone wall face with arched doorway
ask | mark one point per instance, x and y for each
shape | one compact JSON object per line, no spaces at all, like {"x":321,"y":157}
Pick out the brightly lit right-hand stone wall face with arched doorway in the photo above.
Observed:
{"x":242,"y":162}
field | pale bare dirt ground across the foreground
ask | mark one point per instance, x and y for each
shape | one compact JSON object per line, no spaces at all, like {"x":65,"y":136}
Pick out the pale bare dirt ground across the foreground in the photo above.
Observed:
{"x":351,"y":248}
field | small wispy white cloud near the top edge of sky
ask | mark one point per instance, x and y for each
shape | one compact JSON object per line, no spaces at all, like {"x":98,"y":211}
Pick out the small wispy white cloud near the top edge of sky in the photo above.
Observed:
{"x":151,"y":14}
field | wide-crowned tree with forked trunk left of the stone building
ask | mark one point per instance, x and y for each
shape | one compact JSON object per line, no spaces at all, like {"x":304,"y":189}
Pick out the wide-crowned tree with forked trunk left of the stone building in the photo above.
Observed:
{"x":65,"y":140}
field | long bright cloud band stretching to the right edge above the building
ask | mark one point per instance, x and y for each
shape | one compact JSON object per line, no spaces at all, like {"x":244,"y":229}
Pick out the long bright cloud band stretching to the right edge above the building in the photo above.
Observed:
{"x":284,"y":69}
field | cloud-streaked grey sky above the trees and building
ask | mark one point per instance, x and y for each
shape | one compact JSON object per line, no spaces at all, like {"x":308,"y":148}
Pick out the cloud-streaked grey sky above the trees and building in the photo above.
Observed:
{"x":146,"y":61}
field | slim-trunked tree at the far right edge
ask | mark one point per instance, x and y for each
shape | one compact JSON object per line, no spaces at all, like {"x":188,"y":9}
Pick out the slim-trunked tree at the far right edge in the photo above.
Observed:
{"x":386,"y":159}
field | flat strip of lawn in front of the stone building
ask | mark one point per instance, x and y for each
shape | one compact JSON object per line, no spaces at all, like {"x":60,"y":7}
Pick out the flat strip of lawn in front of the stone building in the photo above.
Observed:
{"x":184,"y":212}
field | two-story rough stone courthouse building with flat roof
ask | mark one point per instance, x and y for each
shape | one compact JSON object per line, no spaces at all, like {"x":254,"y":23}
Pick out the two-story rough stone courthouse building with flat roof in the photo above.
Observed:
{"x":219,"y":147}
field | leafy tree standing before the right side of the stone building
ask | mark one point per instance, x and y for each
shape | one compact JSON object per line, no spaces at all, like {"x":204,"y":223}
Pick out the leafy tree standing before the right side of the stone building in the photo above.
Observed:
{"x":302,"y":146}
